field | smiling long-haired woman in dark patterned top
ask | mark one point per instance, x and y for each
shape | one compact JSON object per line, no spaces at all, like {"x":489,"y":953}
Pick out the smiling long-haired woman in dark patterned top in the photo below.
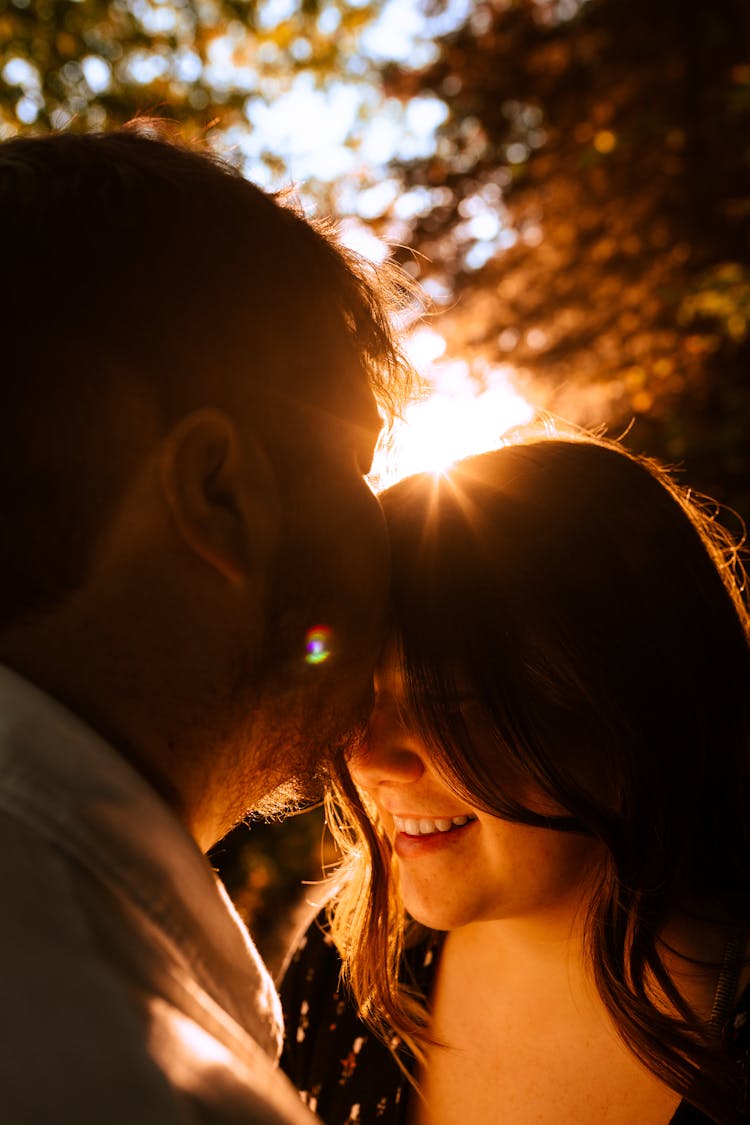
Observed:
{"x":546,"y":899}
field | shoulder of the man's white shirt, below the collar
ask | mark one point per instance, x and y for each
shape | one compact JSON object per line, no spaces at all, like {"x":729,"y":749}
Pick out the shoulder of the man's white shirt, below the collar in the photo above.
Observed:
{"x":97,"y":1024}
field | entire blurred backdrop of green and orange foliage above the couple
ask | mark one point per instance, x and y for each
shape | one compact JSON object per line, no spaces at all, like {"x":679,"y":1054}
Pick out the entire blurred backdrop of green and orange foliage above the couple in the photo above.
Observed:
{"x":583,"y":211}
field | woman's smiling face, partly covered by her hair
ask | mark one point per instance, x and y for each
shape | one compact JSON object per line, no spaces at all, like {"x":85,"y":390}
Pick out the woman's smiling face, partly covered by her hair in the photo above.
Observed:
{"x":458,"y":865}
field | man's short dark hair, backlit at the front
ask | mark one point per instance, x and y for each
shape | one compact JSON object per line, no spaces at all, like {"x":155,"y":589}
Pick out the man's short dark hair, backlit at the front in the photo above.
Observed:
{"x":140,"y":271}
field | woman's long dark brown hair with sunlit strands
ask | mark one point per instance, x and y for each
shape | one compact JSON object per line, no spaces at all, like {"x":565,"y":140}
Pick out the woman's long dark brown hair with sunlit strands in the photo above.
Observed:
{"x":597,"y":611}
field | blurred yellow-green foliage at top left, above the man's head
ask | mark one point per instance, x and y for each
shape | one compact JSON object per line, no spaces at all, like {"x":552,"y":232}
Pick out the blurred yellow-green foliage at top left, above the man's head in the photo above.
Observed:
{"x":89,"y":65}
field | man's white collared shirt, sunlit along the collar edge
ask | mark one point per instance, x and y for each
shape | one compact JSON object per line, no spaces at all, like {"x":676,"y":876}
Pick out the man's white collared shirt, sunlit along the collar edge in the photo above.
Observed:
{"x":130,"y":989}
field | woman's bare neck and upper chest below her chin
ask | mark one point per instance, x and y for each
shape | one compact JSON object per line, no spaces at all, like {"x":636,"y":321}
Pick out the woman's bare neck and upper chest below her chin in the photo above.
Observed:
{"x":522,"y":1036}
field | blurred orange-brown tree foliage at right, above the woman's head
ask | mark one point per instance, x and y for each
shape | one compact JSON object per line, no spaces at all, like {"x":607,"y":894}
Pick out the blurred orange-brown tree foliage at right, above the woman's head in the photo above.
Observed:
{"x":588,"y":217}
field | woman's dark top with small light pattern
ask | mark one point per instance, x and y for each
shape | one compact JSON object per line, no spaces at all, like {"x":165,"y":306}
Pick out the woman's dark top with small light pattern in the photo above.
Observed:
{"x":346,"y":1074}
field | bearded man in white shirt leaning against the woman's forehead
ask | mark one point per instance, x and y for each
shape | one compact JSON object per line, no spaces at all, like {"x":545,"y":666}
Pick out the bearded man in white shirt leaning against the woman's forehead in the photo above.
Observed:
{"x":189,"y":374}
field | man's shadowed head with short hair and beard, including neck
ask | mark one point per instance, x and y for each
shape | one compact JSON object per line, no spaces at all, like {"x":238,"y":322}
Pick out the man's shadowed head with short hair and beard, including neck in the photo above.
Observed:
{"x":189,"y":384}
